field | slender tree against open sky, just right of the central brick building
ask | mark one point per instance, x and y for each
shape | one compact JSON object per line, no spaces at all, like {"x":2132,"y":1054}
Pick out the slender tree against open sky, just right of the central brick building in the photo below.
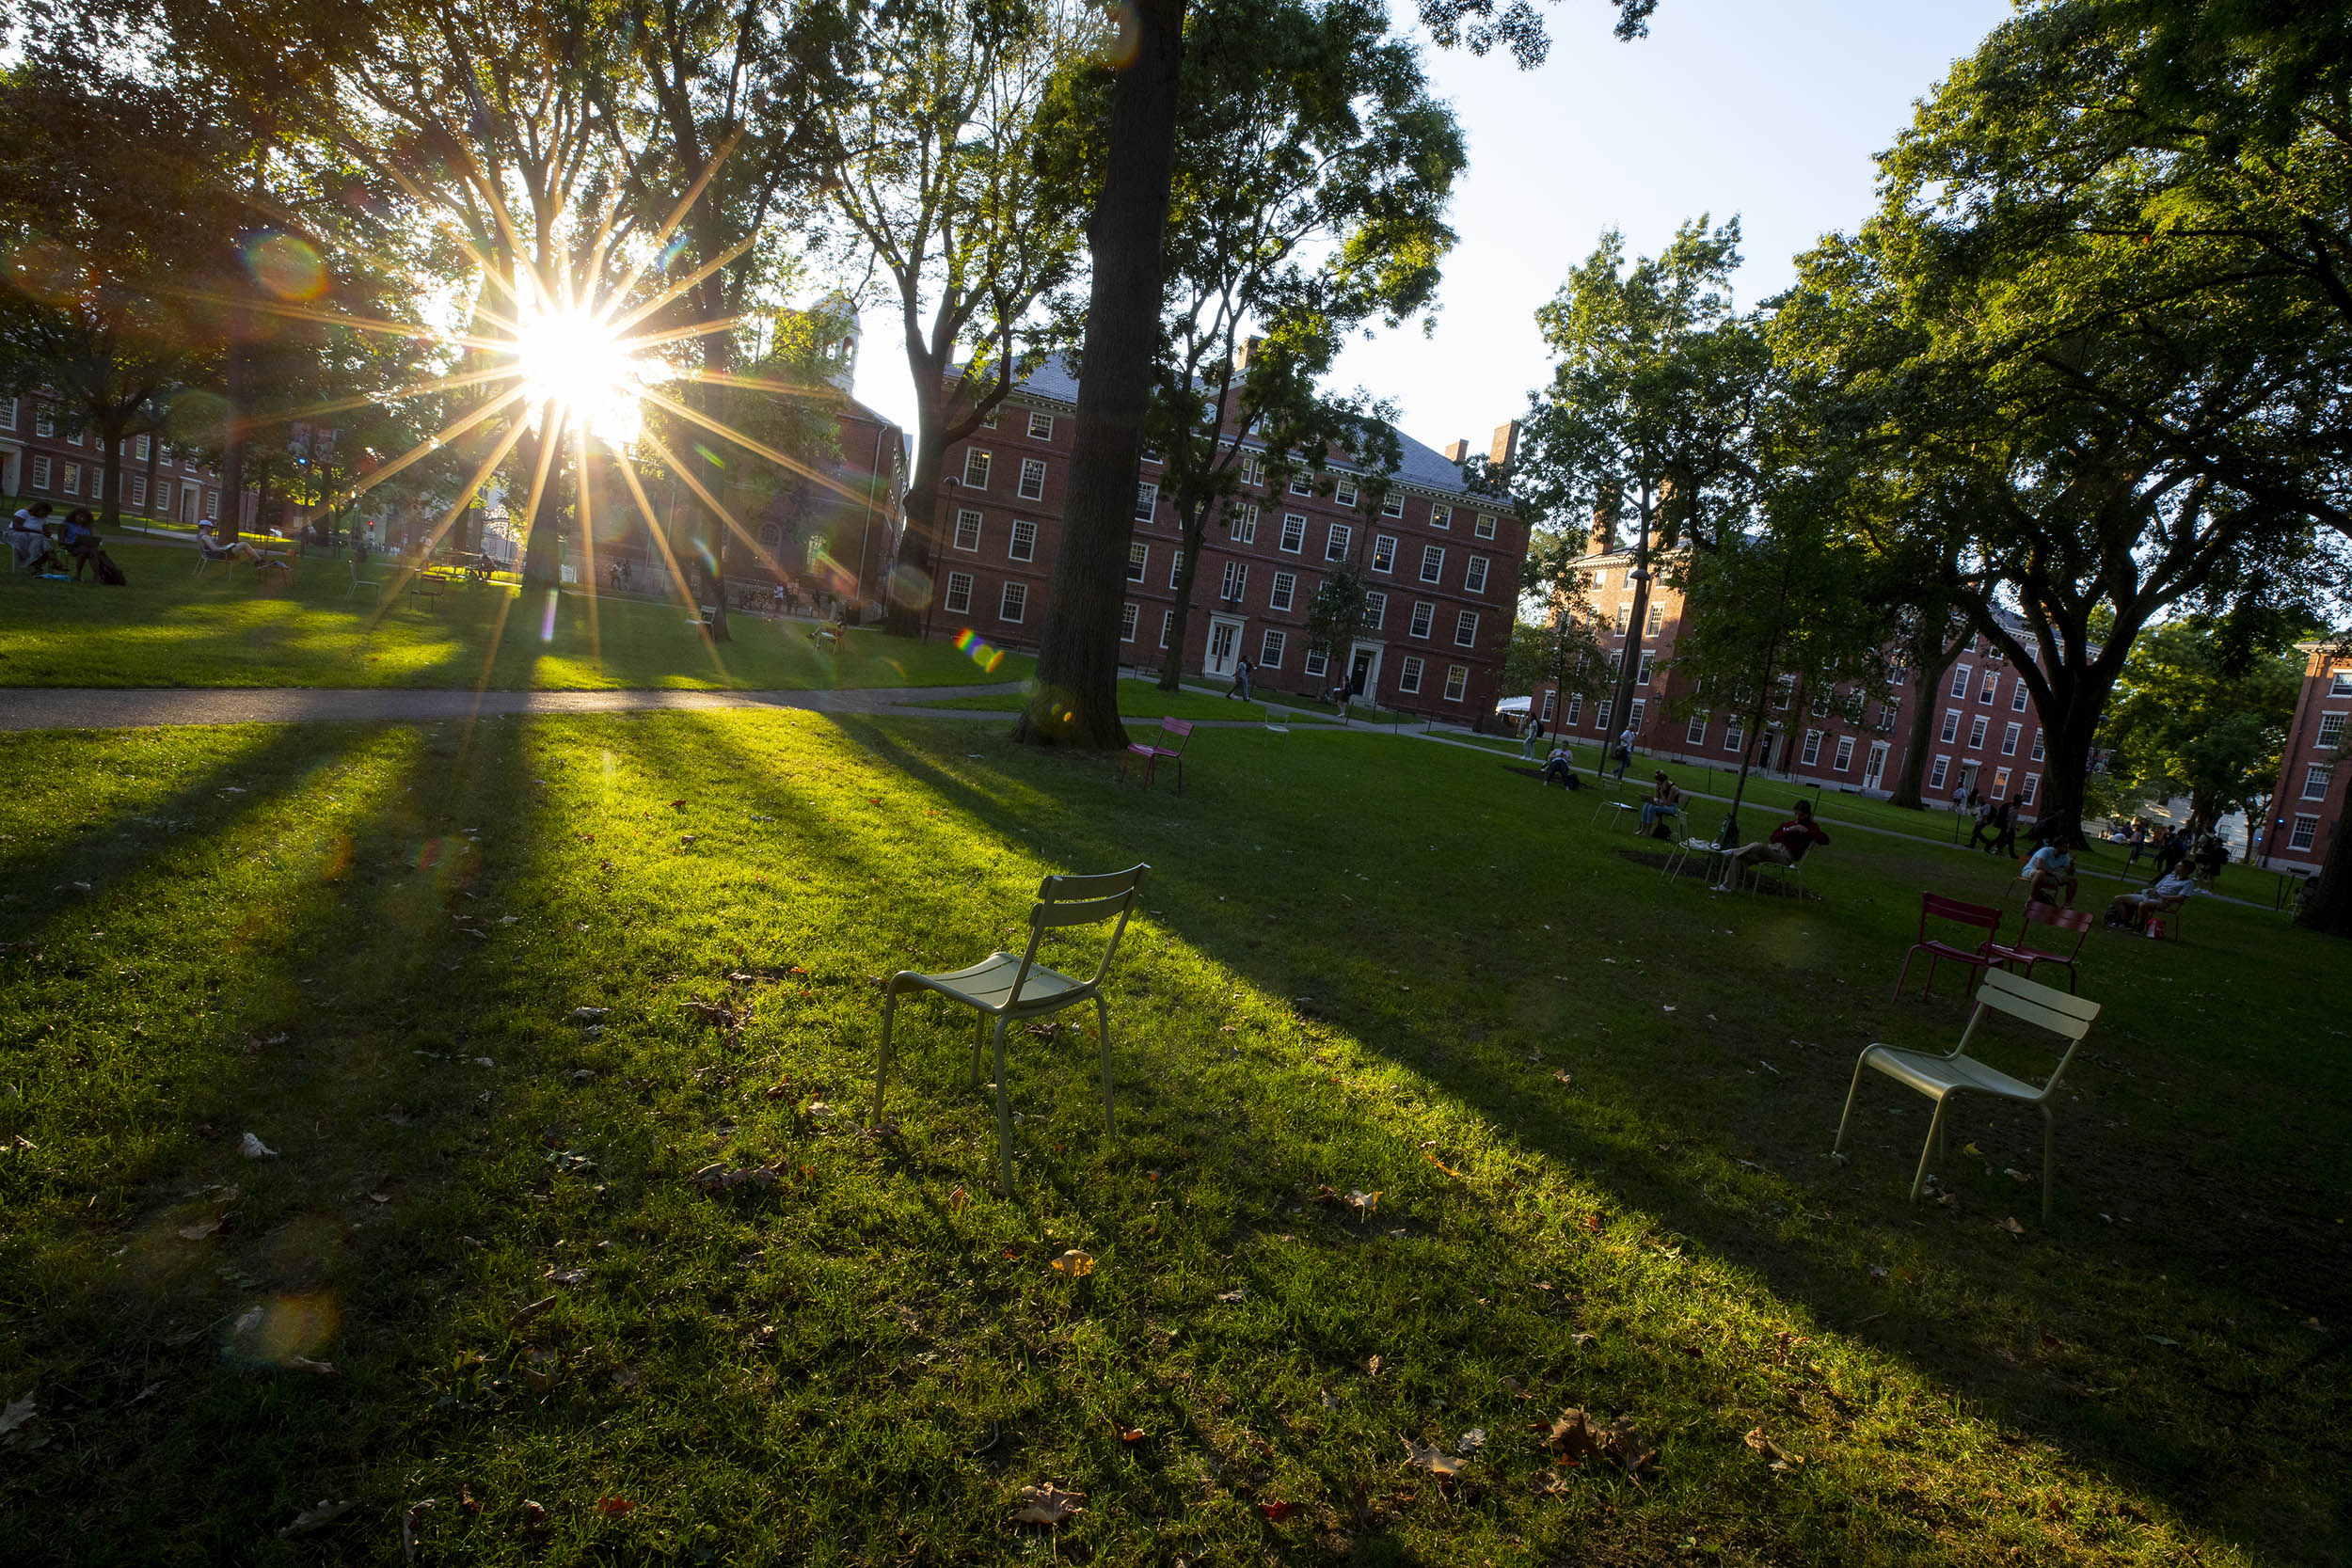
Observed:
{"x":1652,"y":403}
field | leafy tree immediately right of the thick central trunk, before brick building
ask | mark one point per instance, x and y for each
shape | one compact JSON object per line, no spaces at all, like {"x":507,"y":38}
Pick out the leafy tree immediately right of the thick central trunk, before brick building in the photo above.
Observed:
{"x":1311,"y":192}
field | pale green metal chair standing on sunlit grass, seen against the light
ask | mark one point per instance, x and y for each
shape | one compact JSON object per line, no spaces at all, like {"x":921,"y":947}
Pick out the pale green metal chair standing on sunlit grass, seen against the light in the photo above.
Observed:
{"x":1008,"y":989}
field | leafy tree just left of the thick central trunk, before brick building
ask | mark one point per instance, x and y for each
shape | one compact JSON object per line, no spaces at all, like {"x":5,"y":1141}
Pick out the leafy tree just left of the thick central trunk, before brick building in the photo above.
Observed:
{"x":963,"y":166}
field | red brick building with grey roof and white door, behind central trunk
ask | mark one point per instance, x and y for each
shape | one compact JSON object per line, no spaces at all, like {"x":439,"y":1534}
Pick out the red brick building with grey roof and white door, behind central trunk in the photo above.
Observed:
{"x":1441,"y":563}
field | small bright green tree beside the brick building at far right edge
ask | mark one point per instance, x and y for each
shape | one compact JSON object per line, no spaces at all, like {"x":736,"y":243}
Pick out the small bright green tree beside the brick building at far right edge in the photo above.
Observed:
{"x":2203,"y":711}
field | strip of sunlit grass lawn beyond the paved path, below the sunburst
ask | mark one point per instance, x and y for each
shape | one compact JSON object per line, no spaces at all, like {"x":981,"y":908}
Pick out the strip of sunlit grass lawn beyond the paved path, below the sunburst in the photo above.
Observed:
{"x":173,"y":629}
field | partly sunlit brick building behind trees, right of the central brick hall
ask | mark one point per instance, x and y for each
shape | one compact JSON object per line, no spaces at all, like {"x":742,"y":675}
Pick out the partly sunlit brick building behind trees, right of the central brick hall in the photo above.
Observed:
{"x":1986,"y":737}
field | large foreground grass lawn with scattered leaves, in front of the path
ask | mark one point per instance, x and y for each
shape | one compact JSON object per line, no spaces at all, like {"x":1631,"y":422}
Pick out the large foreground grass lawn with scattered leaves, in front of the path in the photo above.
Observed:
{"x":476,"y":1294}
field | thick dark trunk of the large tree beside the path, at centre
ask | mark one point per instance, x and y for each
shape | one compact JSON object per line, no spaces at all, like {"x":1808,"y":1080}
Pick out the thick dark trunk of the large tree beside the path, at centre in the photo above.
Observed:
{"x":1076,"y":697}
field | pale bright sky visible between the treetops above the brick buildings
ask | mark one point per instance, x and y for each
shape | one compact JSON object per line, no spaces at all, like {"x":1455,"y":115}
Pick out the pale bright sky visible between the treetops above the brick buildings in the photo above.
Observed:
{"x":1765,"y":109}
